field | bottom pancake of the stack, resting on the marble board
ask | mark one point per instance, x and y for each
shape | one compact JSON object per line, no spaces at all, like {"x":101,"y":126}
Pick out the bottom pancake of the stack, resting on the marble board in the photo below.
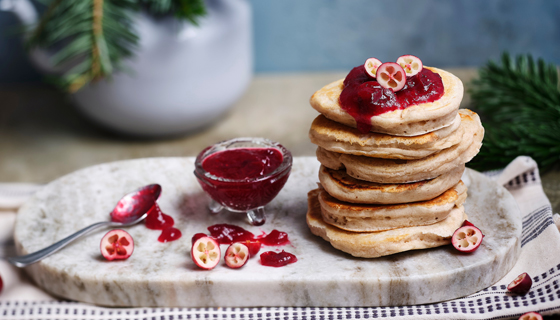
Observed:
{"x":383,"y":243}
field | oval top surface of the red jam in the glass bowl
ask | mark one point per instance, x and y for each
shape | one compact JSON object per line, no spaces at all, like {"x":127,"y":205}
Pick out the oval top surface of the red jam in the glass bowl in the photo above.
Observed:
{"x":243,"y":163}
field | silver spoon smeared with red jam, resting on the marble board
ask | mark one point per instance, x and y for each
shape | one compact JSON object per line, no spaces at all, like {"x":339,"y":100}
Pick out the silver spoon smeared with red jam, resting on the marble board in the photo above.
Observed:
{"x":130,"y":210}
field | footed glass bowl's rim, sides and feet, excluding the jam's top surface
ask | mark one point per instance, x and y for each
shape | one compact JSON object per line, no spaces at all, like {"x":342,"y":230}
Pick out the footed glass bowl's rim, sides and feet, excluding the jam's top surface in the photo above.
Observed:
{"x":249,"y":194}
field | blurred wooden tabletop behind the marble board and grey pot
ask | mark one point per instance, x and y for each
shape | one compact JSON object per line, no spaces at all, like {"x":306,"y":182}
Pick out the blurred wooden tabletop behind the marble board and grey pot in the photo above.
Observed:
{"x":42,"y":136}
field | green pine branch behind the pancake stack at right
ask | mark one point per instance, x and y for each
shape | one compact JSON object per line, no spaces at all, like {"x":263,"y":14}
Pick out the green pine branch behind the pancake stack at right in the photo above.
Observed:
{"x":519,"y":102}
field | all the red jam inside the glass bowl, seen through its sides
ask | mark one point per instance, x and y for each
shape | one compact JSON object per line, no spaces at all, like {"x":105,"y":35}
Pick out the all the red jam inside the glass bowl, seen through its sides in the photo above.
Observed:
{"x":243,"y":179}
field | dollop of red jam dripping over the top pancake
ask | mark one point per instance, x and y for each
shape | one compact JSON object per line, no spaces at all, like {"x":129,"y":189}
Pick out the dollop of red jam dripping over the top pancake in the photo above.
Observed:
{"x":363,"y":97}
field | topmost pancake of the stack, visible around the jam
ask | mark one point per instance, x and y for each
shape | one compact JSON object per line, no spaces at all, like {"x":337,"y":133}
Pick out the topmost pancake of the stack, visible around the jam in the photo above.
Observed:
{"x":414,"y":120}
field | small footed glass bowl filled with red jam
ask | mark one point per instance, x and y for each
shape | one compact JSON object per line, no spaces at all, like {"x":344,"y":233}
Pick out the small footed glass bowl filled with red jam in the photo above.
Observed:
{"x":243,"y":175}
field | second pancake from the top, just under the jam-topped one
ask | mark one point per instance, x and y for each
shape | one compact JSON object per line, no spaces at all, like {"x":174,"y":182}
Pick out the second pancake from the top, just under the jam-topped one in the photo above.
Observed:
{"x":339,"y":138}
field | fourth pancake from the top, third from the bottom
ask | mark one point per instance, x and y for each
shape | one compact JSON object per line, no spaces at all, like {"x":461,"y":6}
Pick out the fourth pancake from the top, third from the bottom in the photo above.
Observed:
{"x":345,"y":188}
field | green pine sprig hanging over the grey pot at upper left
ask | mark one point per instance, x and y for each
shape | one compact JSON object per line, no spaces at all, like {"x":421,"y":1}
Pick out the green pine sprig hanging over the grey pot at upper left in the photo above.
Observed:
{"x":90,"y":38}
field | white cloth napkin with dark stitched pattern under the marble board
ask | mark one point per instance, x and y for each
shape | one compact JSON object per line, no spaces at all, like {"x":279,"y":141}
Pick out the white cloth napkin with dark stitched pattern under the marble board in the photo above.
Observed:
{"x":540,"y":257}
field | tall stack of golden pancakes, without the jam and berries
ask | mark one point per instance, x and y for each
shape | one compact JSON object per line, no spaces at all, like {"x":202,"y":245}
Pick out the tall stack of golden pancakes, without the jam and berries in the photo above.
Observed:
{"x":398,"y":187}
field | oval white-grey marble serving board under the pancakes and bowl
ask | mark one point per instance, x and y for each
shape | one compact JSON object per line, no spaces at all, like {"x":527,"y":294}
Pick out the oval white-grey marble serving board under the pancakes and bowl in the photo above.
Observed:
{"x":163,"y":274}
